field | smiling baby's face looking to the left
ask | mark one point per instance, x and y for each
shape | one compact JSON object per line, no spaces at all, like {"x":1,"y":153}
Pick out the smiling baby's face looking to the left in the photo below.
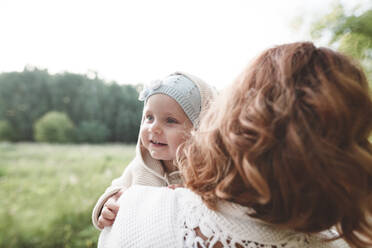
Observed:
{"x":165,"y":126}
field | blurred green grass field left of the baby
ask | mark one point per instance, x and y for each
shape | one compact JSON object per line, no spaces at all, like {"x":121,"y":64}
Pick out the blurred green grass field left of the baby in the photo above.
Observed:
{"x":47,"y":192}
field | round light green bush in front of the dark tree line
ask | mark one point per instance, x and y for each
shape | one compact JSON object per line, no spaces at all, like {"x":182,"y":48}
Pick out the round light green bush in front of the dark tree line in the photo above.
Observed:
{"x":54,"y":127}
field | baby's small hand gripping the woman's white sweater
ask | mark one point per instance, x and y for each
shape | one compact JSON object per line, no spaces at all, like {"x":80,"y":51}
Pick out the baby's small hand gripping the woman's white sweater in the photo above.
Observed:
{"x":109,"y":210}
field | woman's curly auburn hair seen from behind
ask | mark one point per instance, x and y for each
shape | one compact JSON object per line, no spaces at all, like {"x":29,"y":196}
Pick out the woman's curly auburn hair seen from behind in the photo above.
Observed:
{"x":290,"y":140}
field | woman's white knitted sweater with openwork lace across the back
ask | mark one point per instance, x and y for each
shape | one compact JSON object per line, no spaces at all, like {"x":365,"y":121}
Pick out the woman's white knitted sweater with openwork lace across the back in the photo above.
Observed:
{"x":161,"y":217}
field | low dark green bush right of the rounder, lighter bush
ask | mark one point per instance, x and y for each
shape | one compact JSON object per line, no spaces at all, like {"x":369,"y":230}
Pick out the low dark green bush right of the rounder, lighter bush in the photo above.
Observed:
{"x":92,"y":132}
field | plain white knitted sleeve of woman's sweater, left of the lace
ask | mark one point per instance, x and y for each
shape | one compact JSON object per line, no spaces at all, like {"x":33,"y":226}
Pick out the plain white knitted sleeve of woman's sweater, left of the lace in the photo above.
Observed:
{"x":146,"y":218}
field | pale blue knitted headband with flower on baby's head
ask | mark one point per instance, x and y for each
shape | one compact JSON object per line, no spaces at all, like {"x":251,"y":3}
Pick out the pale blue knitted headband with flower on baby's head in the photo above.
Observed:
{"x":179,"y":87}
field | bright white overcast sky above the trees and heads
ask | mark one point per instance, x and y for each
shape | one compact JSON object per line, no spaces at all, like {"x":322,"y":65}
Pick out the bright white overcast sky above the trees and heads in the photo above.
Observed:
{"x":136,"y":41}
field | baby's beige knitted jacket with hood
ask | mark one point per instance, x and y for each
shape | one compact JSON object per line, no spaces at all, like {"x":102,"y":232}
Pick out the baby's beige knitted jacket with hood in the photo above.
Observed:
{"x":143,"y":169}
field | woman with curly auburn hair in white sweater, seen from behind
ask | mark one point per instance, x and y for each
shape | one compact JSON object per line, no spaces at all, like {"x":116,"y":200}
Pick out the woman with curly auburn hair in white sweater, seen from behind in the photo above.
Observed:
{"x":282,"y":159}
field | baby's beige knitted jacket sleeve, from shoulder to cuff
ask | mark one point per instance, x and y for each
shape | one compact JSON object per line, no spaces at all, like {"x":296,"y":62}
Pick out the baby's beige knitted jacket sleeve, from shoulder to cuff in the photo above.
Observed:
{"x":124,"y":181}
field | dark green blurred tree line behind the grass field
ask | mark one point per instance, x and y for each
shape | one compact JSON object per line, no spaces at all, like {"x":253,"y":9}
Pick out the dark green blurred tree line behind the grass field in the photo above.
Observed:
{"x":98,"y":111}
